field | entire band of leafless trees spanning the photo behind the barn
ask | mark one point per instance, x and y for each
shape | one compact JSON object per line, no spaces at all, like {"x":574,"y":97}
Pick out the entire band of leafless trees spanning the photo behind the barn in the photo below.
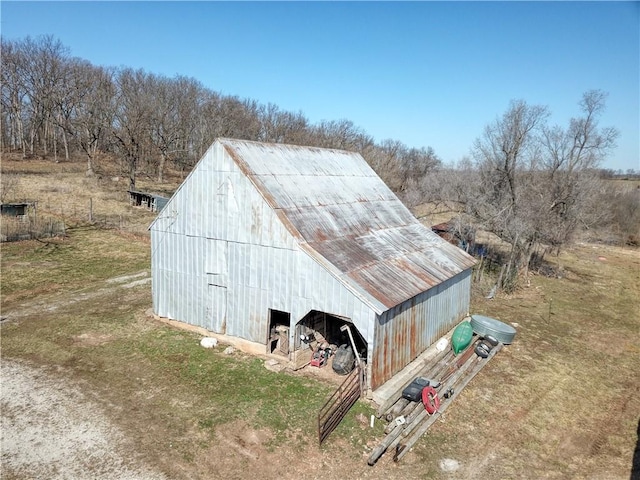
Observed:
{"x":532,"y":184}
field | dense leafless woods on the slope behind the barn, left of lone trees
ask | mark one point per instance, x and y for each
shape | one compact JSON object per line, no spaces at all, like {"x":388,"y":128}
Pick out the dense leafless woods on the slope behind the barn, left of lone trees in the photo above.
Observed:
{"x":56,"y":105}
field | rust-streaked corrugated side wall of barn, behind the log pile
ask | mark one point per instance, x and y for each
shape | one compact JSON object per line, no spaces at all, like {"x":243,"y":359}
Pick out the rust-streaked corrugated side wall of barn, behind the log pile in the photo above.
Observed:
{"x":405,"y":331}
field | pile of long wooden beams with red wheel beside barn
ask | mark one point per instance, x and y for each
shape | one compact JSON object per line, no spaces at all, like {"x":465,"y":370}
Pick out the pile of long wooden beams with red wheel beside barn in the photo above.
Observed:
{"x":439,"y":383}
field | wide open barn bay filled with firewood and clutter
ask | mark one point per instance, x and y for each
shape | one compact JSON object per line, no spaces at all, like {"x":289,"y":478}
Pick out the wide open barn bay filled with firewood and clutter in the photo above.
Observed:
{"x":322,"y":331}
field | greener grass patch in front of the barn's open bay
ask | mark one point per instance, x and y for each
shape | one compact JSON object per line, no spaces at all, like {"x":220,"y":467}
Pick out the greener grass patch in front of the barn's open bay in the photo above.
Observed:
{"x":234,"y":387}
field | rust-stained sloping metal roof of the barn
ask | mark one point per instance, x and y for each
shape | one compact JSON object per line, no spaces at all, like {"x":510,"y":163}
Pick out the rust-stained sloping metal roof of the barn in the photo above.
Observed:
{"x":346,"y":217}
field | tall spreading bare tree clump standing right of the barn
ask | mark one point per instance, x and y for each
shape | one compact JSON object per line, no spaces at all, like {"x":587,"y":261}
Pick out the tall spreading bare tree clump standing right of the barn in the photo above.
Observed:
{"x":537,"y":184}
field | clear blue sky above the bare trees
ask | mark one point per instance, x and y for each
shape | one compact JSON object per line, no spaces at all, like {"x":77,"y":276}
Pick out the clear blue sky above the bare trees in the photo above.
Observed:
{"x":425,"y":73}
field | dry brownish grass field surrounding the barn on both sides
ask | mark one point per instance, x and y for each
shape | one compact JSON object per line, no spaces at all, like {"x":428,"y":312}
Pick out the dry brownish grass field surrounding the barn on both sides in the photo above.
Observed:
{"x":563,"y":401}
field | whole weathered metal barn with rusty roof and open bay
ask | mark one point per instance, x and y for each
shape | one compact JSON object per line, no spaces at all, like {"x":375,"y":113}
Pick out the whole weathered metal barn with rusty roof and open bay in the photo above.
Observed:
{"x":270,"y":243}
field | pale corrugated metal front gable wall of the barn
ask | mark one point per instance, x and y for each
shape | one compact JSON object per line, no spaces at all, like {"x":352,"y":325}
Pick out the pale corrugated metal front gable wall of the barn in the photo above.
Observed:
{"x":230,"y":246}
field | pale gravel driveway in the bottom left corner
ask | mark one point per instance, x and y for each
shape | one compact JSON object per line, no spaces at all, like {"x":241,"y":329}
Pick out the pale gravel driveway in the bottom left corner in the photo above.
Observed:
{"x":52,"y":430}
